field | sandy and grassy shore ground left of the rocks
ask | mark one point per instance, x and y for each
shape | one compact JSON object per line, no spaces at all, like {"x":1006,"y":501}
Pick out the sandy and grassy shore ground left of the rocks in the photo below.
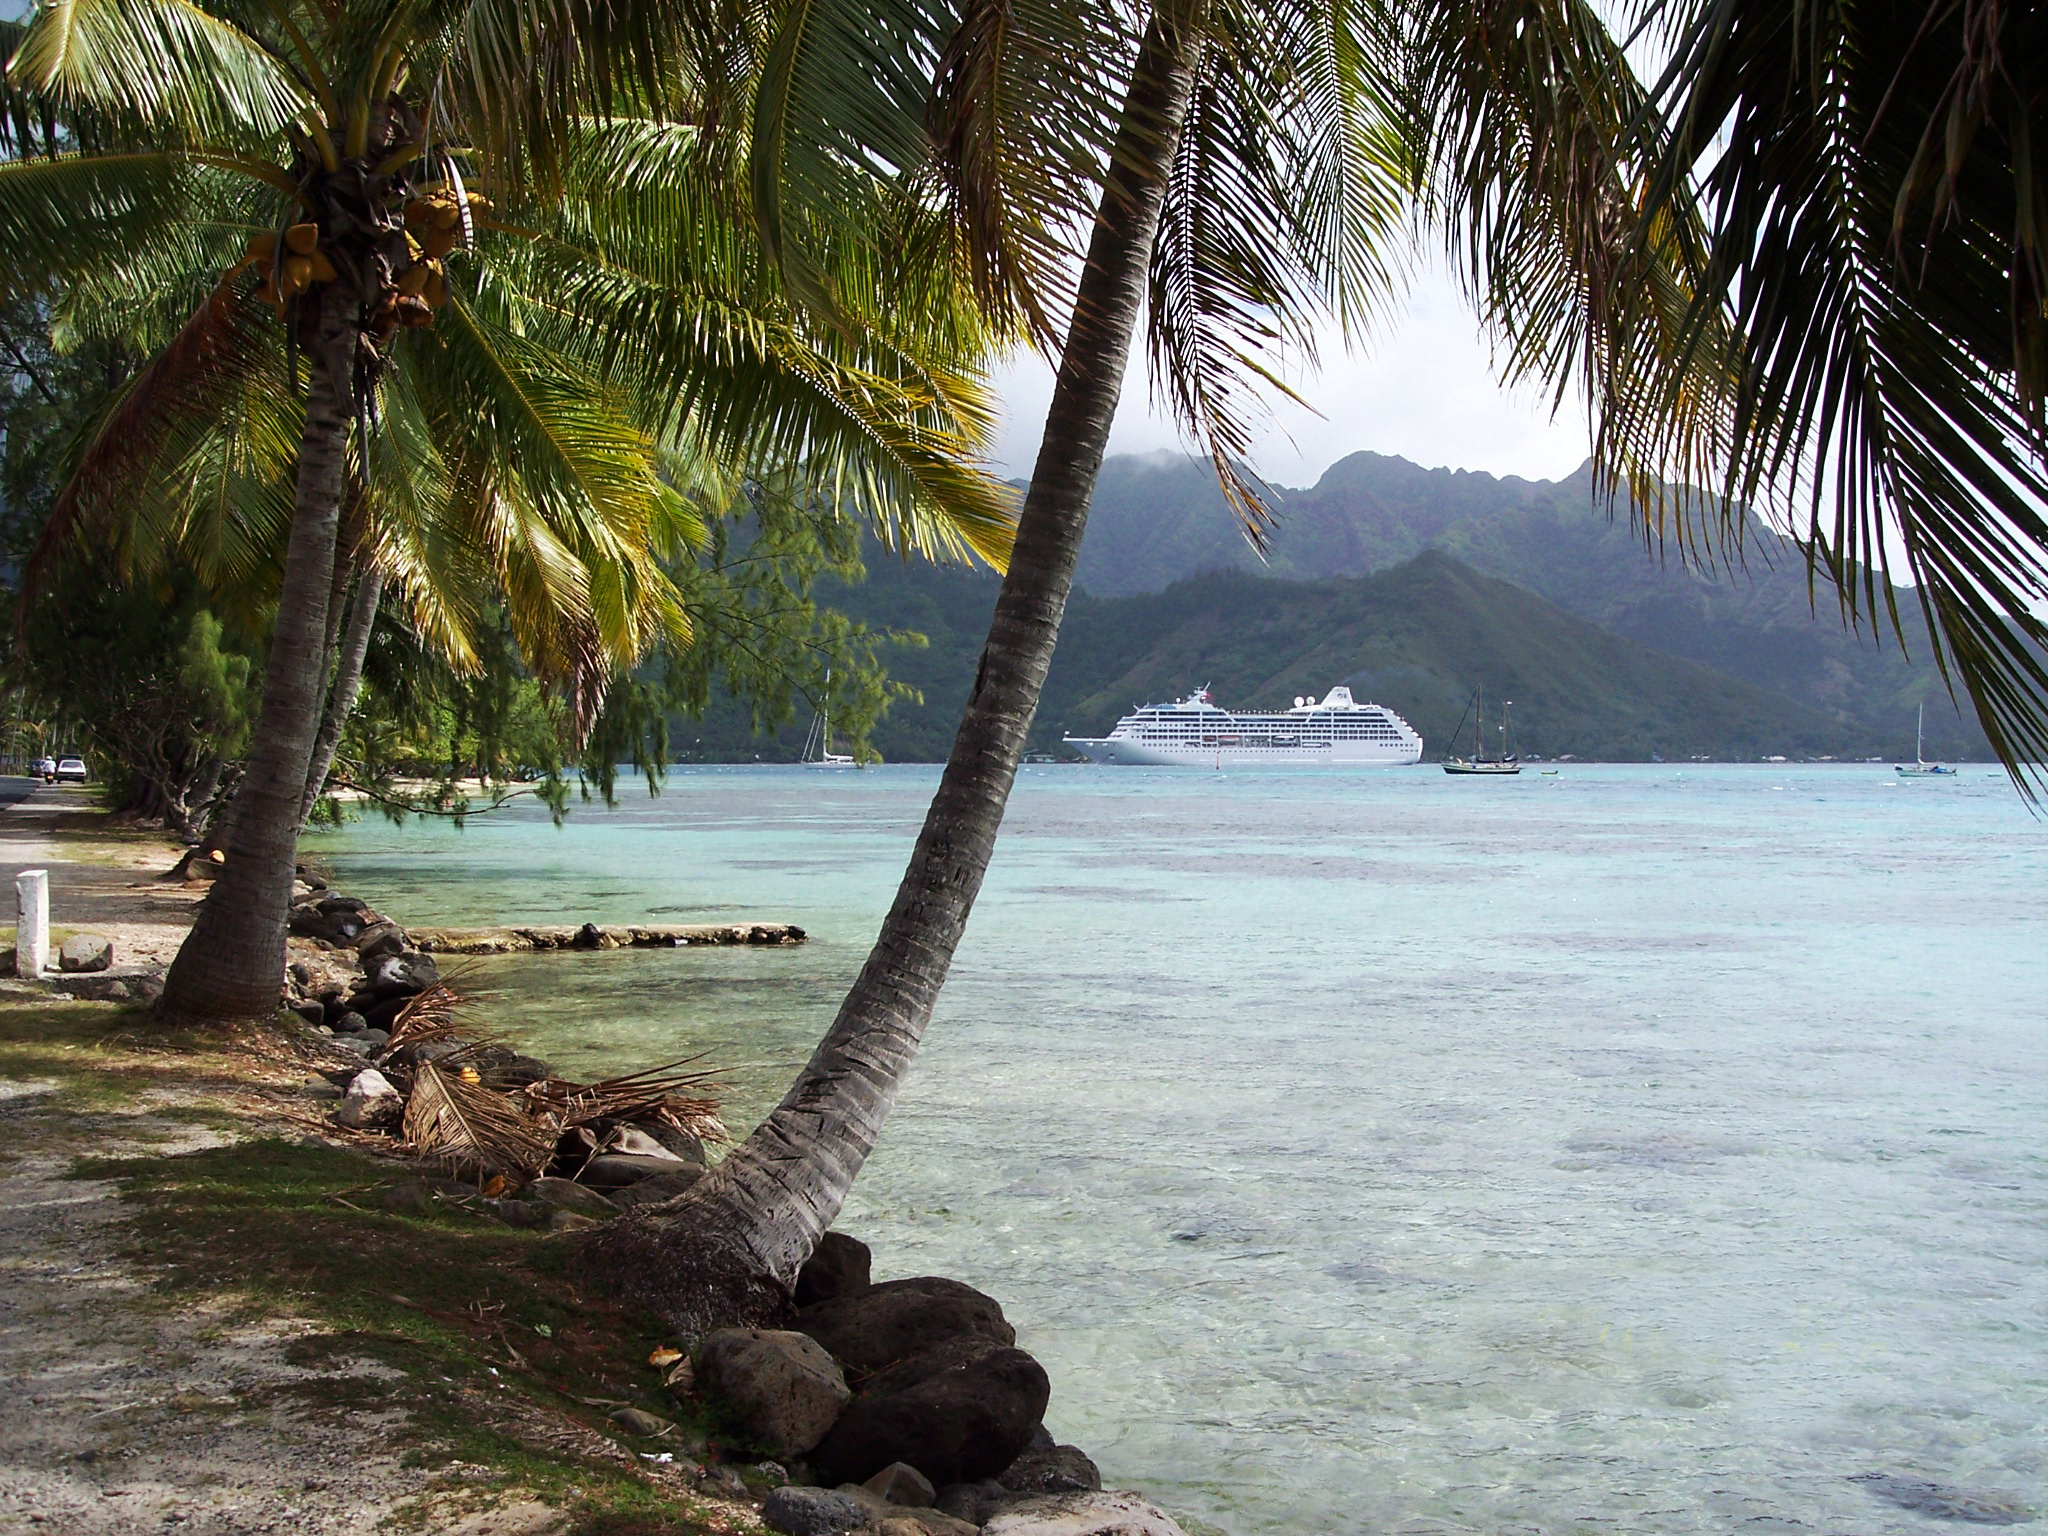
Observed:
{"x":157,"y":1379}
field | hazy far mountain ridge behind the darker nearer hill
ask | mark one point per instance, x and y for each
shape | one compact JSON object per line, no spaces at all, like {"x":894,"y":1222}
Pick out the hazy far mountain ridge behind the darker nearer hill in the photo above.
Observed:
{"x":1160,"y":519}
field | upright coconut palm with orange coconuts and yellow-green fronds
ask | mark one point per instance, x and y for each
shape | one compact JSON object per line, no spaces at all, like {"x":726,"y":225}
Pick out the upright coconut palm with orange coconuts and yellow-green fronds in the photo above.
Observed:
{"x":355,"y":140}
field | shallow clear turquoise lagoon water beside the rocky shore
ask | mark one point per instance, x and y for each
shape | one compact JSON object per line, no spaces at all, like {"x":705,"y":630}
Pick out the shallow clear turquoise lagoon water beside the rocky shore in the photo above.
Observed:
{"x":1631,"y":1150}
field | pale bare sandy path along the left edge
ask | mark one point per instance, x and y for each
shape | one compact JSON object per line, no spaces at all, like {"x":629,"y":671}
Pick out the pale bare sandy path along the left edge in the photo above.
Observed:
{"x":126,"y":1412}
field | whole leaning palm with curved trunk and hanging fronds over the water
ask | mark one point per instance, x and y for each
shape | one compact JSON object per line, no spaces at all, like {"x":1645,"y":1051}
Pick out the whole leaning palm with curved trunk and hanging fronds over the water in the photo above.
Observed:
{"x":1254,"y":173}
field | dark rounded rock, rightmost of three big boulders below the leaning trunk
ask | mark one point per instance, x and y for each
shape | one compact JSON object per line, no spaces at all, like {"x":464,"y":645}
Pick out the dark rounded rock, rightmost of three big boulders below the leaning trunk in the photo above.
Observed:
{"x":959,"y":1412}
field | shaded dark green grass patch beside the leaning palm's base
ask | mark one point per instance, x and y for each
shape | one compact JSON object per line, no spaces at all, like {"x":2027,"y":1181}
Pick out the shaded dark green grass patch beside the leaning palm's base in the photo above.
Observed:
{"x":484,"y":1336}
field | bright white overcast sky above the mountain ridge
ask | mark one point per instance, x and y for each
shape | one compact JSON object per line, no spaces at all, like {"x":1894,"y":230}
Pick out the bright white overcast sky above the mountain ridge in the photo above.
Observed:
{"x":1422,"y":388}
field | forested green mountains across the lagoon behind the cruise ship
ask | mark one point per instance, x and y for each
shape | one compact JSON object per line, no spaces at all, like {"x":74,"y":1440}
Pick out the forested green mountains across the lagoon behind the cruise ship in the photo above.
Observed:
{"x":1412,"y":587}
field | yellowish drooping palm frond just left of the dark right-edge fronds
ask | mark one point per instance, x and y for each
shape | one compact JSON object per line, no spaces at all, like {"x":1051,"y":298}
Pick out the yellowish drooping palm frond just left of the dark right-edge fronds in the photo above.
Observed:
{"x":1537,"y":144}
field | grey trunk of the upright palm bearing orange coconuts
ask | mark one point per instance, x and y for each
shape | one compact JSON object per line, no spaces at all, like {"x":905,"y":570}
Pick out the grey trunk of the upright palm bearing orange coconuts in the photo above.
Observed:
{"x":232,"y":964}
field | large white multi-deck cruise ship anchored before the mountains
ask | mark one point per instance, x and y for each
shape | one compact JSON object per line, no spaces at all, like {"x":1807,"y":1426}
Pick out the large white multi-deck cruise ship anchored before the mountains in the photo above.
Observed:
{"x":1195,"y":732}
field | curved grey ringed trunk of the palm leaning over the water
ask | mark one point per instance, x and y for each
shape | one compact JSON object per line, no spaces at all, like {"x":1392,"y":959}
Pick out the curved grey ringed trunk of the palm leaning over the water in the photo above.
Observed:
{"x":732,"y":1248}
